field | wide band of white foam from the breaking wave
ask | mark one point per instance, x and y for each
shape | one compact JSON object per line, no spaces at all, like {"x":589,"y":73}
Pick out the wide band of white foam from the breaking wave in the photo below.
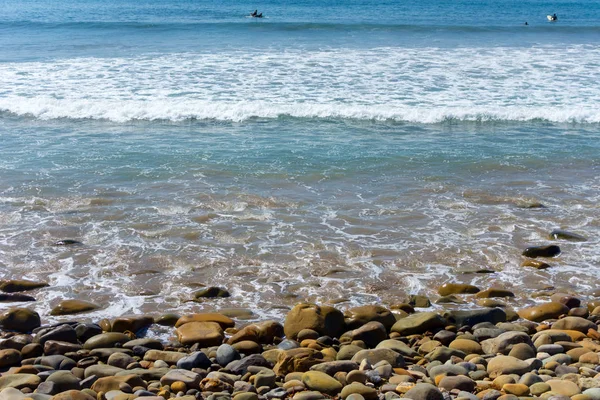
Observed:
{"x":425,"y":85}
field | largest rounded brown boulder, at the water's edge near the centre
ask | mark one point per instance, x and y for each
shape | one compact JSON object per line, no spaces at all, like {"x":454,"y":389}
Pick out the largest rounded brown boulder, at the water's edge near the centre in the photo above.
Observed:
{"x":326,"y":320}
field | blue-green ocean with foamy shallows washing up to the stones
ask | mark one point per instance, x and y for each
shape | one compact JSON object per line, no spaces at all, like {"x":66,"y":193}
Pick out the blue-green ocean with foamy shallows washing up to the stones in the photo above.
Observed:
{"x":338,"y":152}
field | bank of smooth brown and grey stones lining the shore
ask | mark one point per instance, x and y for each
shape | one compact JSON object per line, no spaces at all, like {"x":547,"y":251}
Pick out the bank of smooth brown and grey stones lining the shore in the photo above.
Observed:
{"x":549,"y":351}
